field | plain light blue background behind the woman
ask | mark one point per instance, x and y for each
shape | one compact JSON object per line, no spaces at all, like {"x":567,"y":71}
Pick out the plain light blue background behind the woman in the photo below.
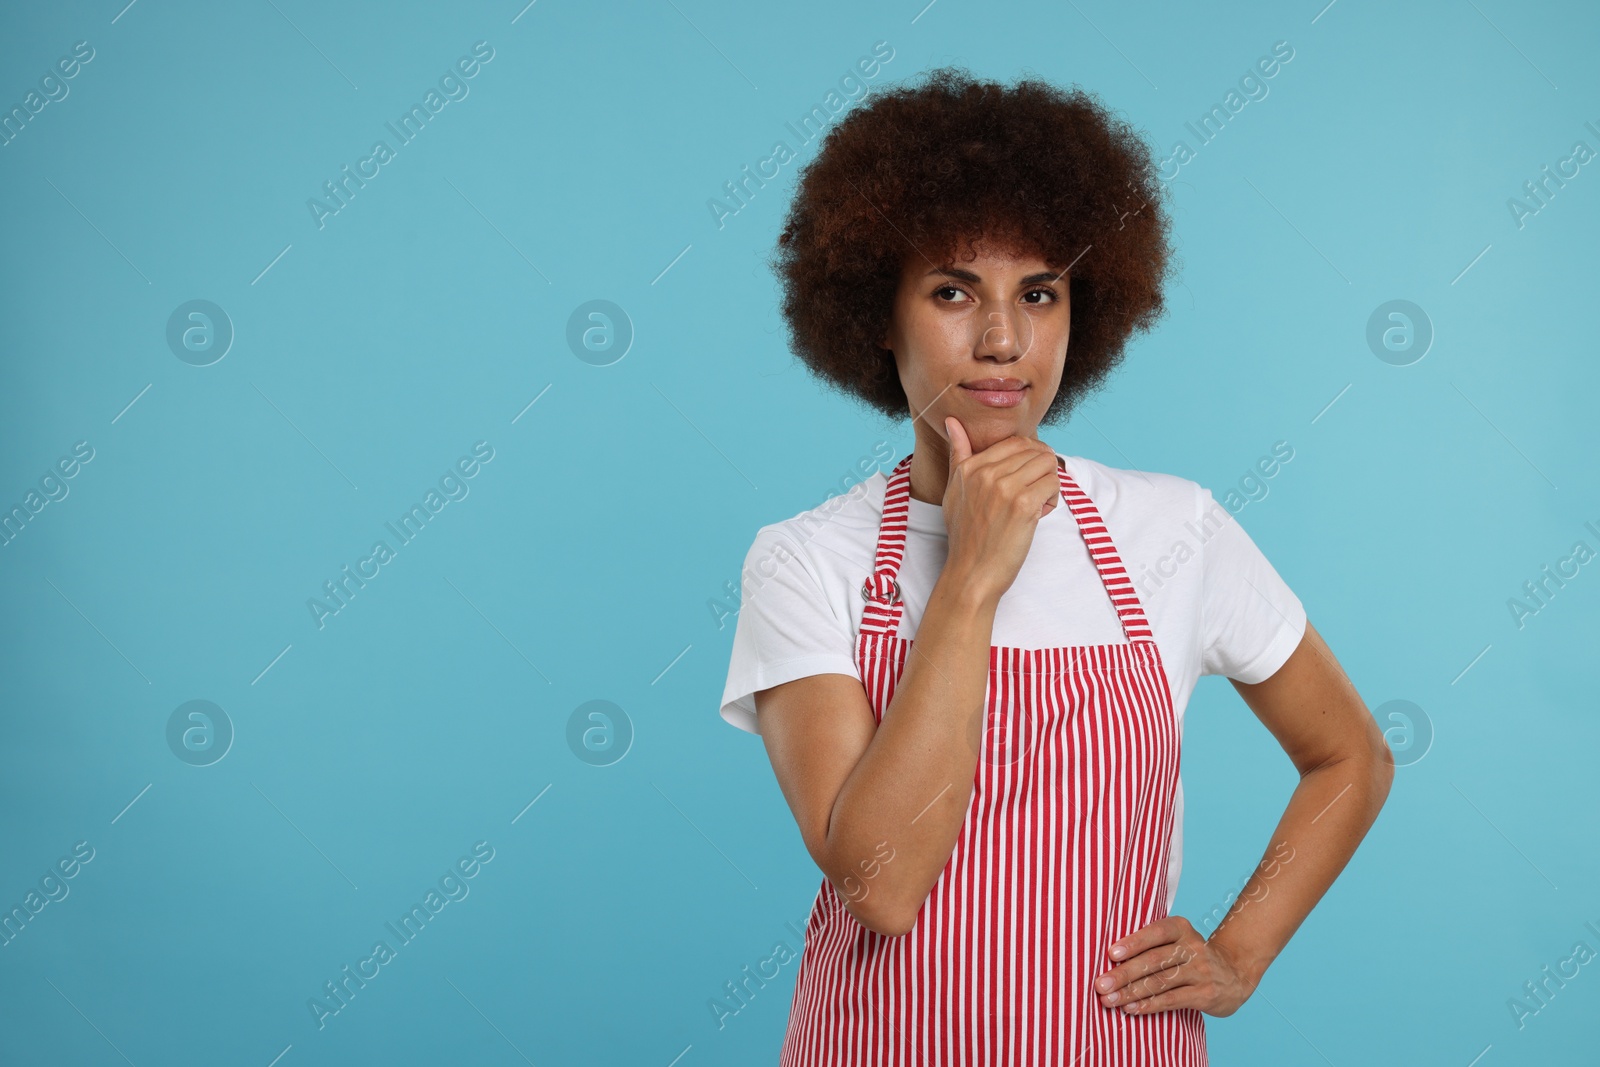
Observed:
{"x":583,"y":565}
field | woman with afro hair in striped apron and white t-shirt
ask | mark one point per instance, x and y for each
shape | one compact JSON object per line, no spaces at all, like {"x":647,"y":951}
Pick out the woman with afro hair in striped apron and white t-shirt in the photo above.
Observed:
{"x":972,"y":697}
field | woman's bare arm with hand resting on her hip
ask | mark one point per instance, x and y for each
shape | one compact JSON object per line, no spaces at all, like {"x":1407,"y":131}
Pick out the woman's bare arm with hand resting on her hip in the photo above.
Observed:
{"x":1346,"y":770}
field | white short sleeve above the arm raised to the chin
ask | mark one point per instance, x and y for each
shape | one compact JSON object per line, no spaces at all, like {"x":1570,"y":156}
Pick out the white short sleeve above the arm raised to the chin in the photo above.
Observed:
{"x":786,"y":629}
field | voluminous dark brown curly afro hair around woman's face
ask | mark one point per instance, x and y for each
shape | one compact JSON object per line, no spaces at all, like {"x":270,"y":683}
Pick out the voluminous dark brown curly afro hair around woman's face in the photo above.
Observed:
{"x":954,"y":161}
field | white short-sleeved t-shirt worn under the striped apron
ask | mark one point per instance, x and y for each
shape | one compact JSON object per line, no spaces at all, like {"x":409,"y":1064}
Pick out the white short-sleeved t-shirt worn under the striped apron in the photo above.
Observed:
{"x":1215,"y":604}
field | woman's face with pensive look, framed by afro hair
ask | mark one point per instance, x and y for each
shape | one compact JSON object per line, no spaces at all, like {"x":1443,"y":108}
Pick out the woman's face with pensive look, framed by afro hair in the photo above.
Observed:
{"x":983,"y":342}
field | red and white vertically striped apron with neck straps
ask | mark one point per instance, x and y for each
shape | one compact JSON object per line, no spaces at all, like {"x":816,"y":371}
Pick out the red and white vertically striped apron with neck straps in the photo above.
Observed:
{"x":1063,"y":852}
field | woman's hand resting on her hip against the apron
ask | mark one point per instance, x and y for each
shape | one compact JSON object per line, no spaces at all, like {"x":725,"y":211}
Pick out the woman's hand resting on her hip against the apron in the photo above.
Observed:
{"x":1169,"y":965}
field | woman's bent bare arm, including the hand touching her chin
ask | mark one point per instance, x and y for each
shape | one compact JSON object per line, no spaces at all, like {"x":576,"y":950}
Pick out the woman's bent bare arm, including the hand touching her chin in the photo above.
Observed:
{"x":881,"y":805}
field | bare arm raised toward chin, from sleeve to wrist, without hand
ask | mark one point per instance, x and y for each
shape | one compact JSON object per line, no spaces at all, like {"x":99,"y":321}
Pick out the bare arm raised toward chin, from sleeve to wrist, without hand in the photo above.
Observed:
{"x":881,"y":807}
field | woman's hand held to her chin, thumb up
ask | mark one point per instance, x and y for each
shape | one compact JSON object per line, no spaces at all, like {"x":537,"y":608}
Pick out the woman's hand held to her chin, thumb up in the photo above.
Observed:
{"x":993,"y":505}
